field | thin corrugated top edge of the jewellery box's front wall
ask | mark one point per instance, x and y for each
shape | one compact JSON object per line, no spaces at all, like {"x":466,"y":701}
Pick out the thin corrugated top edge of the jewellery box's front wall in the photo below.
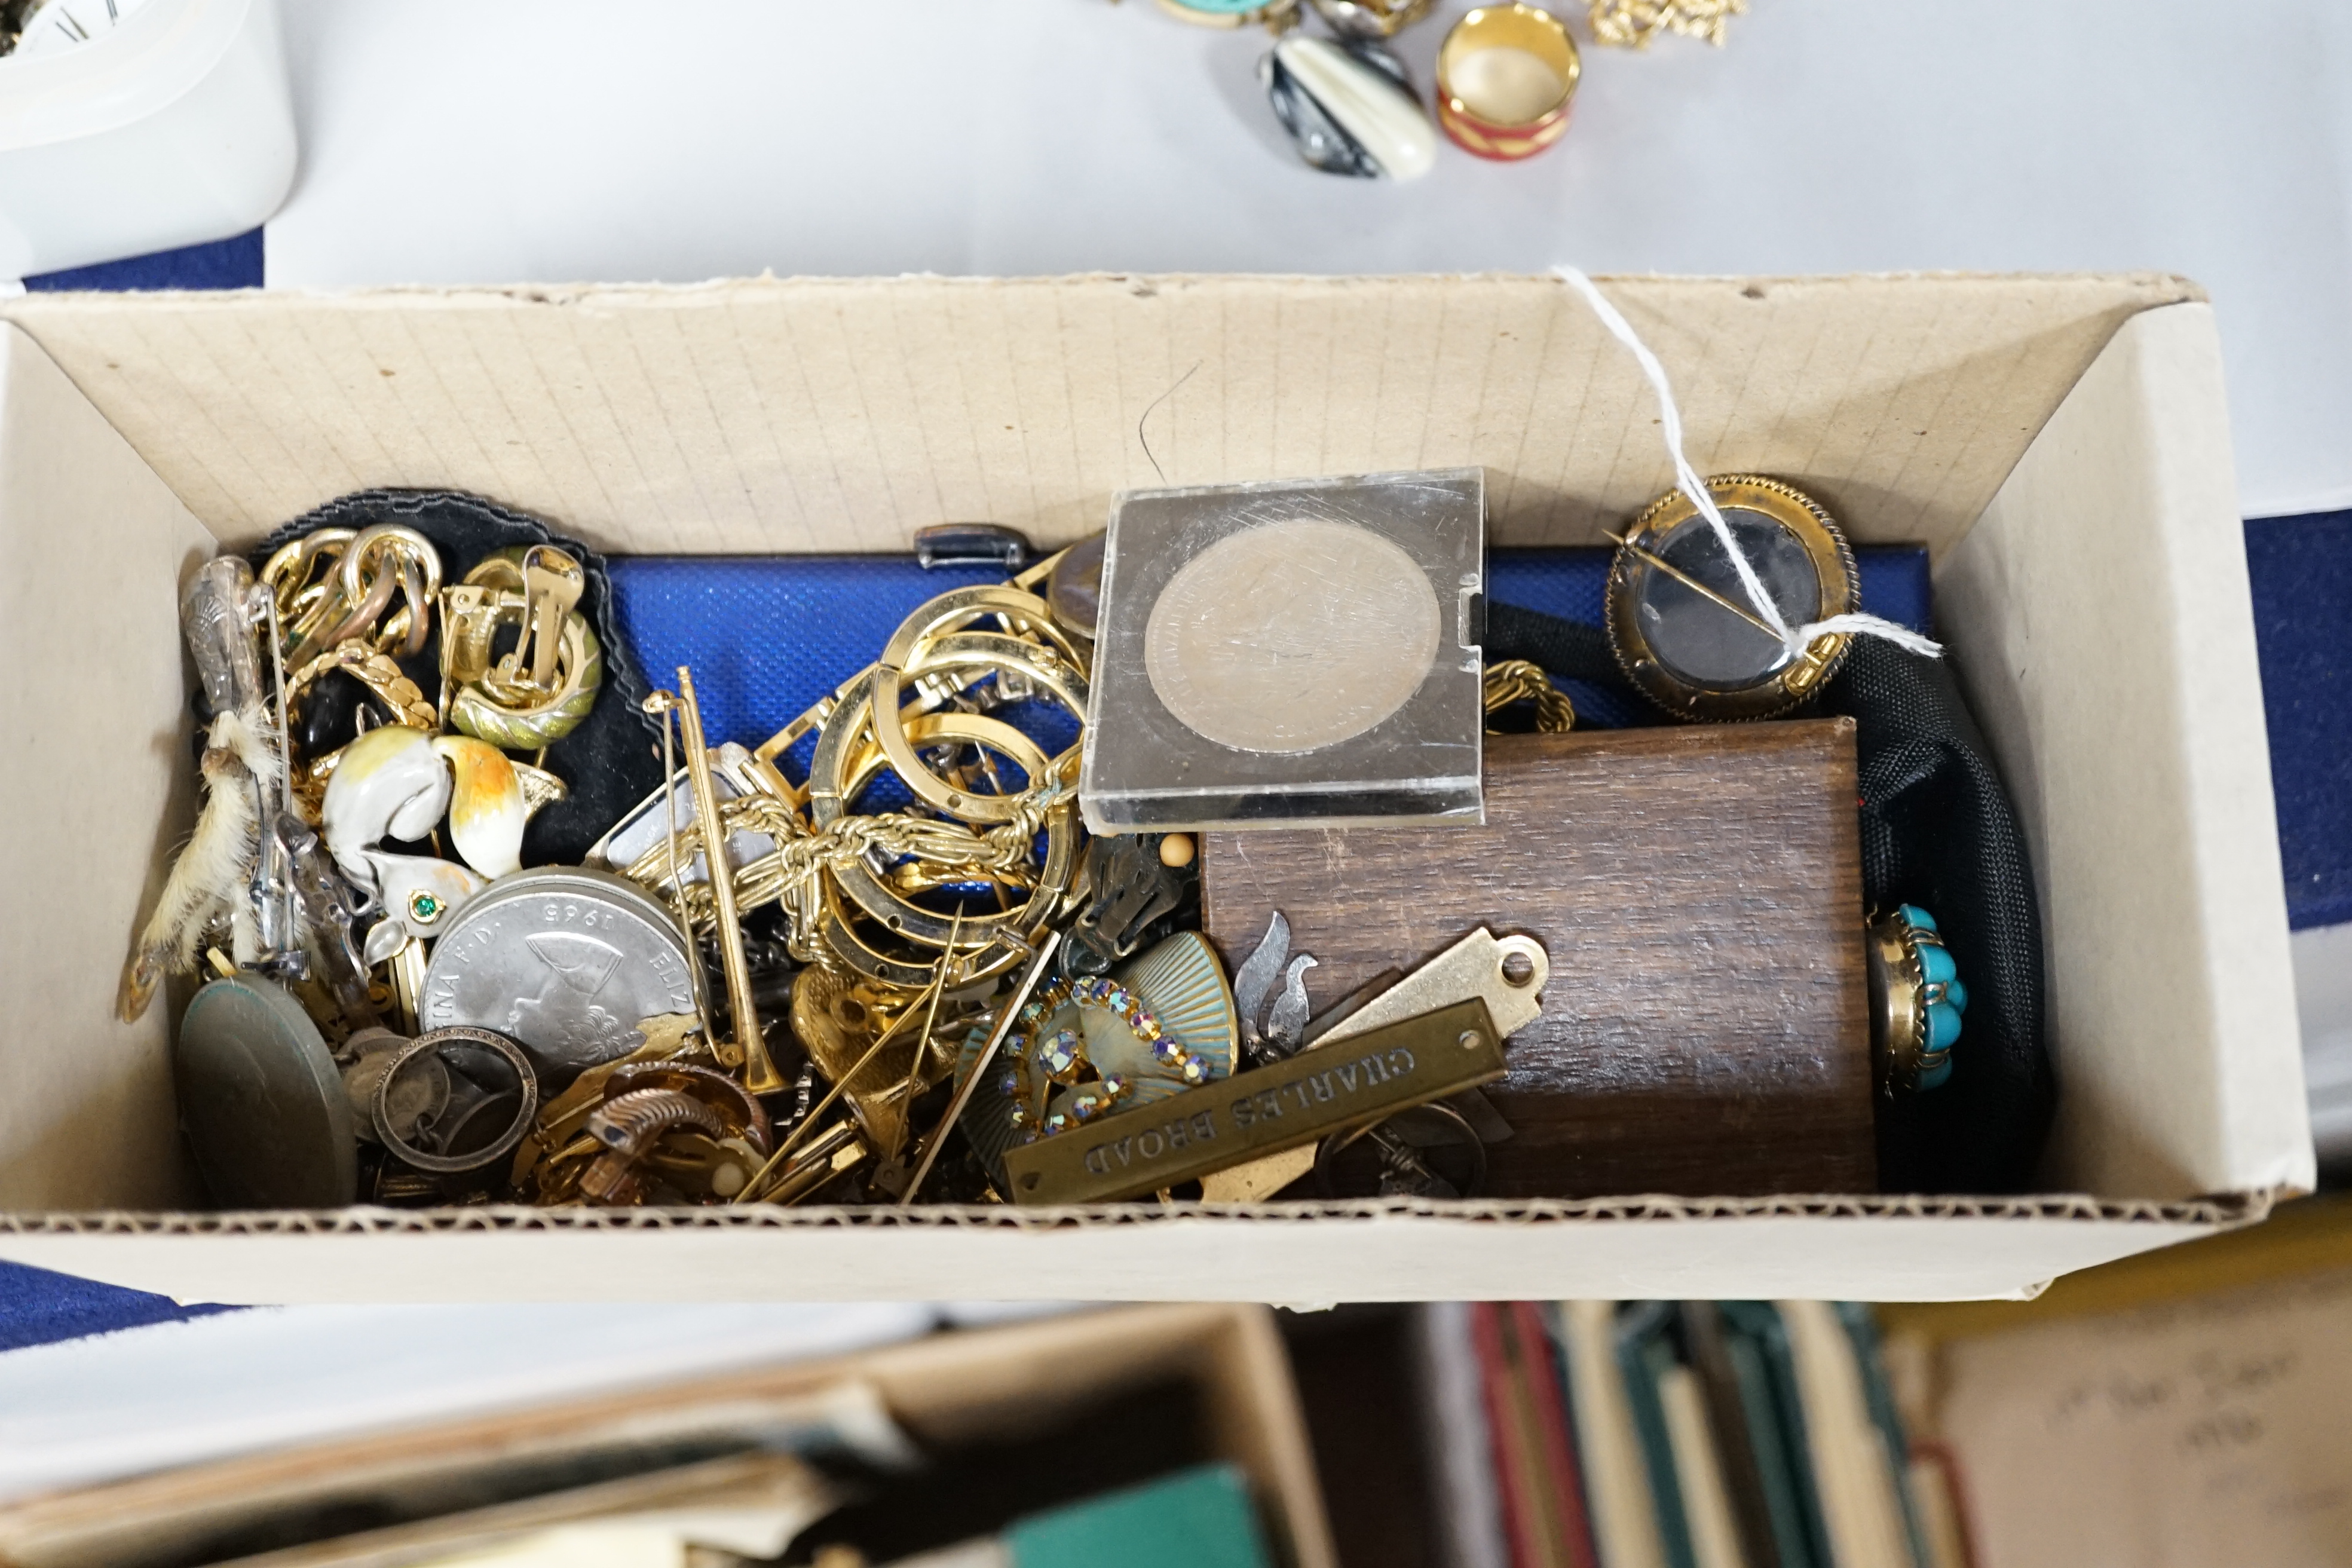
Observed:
{"x":363,"y":1221}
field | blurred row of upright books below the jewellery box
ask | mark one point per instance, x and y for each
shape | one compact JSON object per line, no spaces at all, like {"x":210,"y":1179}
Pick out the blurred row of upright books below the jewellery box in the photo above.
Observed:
{"x":1676,"y":1435}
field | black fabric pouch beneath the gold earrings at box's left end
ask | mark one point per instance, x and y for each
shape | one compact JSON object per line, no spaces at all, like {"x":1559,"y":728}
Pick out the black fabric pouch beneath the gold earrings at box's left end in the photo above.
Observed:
{"x":610,"y":763}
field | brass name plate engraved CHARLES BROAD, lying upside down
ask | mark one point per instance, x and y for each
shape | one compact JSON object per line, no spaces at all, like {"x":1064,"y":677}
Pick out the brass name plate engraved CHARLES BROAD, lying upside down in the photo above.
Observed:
{"x":1257,"y":1113}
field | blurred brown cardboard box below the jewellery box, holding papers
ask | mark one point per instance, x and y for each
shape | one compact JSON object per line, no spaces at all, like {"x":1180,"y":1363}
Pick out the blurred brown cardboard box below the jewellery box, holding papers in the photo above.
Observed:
{"x":949,"y":1391}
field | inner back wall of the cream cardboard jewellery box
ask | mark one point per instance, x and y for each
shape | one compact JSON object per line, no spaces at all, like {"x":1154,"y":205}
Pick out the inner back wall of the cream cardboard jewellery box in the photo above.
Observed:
{"x":843,"y":415}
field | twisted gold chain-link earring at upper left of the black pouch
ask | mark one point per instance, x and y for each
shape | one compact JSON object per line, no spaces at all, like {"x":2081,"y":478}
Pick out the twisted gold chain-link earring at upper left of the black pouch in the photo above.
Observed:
{"x":338,"y":587}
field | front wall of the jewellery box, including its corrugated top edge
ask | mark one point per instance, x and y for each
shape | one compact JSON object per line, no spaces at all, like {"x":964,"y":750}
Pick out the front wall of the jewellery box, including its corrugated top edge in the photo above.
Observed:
{"x":1619,"y":1249}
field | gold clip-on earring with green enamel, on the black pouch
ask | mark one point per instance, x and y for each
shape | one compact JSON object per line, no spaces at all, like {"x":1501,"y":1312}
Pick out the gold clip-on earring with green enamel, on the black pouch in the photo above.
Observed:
{"x":549,"y":683}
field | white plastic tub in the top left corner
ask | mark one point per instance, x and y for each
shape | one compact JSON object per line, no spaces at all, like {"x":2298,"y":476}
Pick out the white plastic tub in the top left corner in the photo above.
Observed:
{"x":168,"y":128}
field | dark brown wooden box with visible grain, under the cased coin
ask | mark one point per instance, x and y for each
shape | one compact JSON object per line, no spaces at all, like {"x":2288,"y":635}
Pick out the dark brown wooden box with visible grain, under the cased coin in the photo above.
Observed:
{"x":1699,"y":892}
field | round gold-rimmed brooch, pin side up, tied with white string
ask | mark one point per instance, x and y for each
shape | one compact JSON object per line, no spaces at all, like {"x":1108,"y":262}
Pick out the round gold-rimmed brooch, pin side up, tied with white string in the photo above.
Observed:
{"x":1699,"y":652}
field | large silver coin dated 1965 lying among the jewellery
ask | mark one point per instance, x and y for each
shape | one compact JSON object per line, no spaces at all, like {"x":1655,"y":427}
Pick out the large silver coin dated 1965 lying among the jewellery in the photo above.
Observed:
{"x":563,"y":963}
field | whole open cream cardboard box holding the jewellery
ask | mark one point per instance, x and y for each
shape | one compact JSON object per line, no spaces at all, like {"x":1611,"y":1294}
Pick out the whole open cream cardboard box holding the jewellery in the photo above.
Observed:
{"x":2059,"y":443}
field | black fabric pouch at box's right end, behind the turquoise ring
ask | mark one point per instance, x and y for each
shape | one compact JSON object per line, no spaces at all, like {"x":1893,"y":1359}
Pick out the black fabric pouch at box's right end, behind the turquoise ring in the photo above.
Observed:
{"x":1937,"y":831}
